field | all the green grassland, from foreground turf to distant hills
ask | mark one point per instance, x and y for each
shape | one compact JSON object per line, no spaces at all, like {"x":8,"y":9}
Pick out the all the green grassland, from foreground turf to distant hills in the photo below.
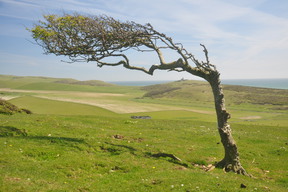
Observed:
{"x":81,"y":137}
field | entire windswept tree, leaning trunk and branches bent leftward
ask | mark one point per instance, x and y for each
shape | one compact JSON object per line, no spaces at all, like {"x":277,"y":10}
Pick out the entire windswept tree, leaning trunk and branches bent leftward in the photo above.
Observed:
{"x":99,"y":38}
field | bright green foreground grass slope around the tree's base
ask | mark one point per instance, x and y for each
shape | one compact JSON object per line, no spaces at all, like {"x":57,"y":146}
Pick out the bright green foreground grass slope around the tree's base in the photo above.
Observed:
{"x":83,"y":153}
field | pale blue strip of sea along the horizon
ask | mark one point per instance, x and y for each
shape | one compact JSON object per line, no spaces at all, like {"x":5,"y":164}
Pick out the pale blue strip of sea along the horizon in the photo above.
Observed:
{"x":264,"y":83}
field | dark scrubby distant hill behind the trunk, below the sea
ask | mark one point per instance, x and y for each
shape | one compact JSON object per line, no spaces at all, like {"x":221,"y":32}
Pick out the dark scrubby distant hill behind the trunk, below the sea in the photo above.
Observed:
{"x":200,"y":91}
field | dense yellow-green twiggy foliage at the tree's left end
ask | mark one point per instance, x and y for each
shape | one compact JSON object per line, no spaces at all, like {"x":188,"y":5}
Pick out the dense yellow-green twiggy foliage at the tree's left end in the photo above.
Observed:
{"x":76,"y":35}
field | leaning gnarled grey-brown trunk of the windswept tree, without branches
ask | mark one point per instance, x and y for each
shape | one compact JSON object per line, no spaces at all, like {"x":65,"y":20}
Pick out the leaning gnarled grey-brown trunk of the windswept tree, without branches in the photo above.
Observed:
{"x":231,"y":161}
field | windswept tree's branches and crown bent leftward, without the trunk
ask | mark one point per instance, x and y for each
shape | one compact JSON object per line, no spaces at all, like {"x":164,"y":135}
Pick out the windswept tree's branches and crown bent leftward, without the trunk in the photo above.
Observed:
{"x":95,"y":38}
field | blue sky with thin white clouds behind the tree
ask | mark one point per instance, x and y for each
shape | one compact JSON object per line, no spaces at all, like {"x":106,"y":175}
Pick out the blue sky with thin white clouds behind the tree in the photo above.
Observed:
{"x":246,"y":39}
